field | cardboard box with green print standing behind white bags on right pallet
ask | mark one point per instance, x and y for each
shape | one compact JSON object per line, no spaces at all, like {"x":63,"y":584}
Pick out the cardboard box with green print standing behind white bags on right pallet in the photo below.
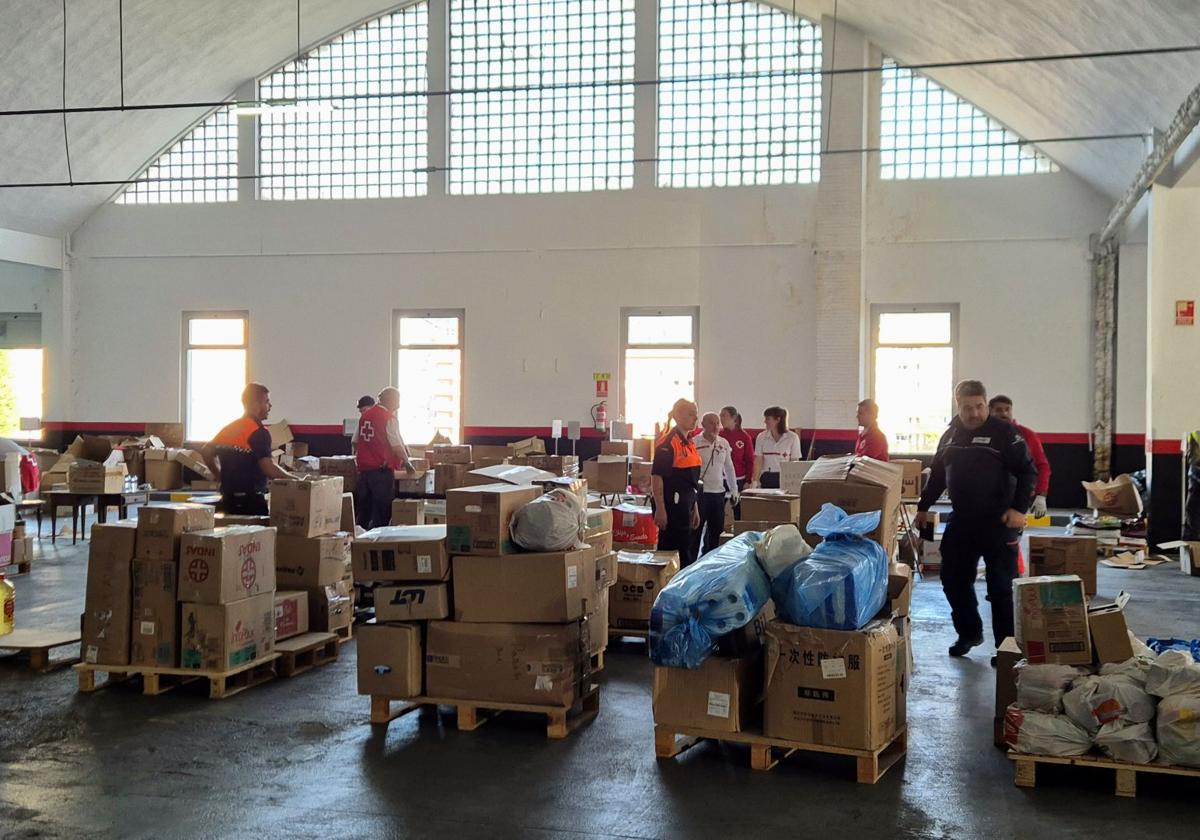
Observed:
{"x":1052,"y":620}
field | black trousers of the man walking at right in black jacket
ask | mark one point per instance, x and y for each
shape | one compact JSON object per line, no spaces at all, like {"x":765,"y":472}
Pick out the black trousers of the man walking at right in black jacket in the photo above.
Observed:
{"x":963,"y":545}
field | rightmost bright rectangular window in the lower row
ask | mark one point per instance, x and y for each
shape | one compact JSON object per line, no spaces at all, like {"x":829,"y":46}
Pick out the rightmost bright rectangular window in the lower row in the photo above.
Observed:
{"x":913,"y":374}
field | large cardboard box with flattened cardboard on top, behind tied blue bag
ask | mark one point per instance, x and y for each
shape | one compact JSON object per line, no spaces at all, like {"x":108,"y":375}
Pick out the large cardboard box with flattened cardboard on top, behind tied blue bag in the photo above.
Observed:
{"x":857,"y":485}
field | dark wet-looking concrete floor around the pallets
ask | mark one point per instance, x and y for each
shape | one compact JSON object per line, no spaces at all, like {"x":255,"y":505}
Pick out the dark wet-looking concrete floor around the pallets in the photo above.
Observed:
{"x":297,"y":758}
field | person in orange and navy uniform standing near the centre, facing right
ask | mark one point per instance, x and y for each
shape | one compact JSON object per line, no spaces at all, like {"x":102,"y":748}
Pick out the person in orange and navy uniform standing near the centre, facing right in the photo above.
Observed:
{"x":675,"y":479}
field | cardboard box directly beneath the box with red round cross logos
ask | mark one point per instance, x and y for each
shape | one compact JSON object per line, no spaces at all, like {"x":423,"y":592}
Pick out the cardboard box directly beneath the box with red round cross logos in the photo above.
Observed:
{"x":224,"y":637}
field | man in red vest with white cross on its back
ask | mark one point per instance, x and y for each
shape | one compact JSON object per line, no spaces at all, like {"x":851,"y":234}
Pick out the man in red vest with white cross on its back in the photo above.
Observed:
{"x":380,"y":453}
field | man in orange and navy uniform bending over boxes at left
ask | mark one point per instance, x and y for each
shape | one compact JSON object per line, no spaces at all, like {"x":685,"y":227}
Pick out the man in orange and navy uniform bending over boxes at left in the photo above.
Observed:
{"x":241,"y":457}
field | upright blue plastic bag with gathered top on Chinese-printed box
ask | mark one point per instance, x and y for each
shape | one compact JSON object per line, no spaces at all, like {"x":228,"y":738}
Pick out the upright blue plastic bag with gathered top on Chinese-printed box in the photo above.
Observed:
{"x":844,"y":583}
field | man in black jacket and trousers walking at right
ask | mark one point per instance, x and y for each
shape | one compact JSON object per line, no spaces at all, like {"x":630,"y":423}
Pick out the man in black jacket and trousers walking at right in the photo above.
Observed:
{"x":989,"y":473}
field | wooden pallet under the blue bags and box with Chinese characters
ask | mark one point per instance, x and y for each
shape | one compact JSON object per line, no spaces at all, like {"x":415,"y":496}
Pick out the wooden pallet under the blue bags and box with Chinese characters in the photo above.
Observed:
{"x":872,"y":765}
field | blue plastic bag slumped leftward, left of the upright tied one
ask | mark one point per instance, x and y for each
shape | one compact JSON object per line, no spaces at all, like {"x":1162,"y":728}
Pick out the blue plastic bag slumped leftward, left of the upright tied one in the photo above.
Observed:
{"x":716,"y":596}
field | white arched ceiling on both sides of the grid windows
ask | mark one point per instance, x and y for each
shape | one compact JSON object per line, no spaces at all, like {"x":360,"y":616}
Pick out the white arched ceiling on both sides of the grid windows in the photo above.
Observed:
{"x":187,"y":51}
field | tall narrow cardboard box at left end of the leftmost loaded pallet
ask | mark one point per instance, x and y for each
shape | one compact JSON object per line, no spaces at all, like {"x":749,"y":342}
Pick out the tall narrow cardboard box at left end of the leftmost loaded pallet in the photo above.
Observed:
{"x":109,"y":607}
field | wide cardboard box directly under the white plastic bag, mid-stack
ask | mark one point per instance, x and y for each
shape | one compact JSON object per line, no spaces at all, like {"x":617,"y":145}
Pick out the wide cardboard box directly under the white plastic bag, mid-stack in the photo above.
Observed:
{"x":545,"y":587}
